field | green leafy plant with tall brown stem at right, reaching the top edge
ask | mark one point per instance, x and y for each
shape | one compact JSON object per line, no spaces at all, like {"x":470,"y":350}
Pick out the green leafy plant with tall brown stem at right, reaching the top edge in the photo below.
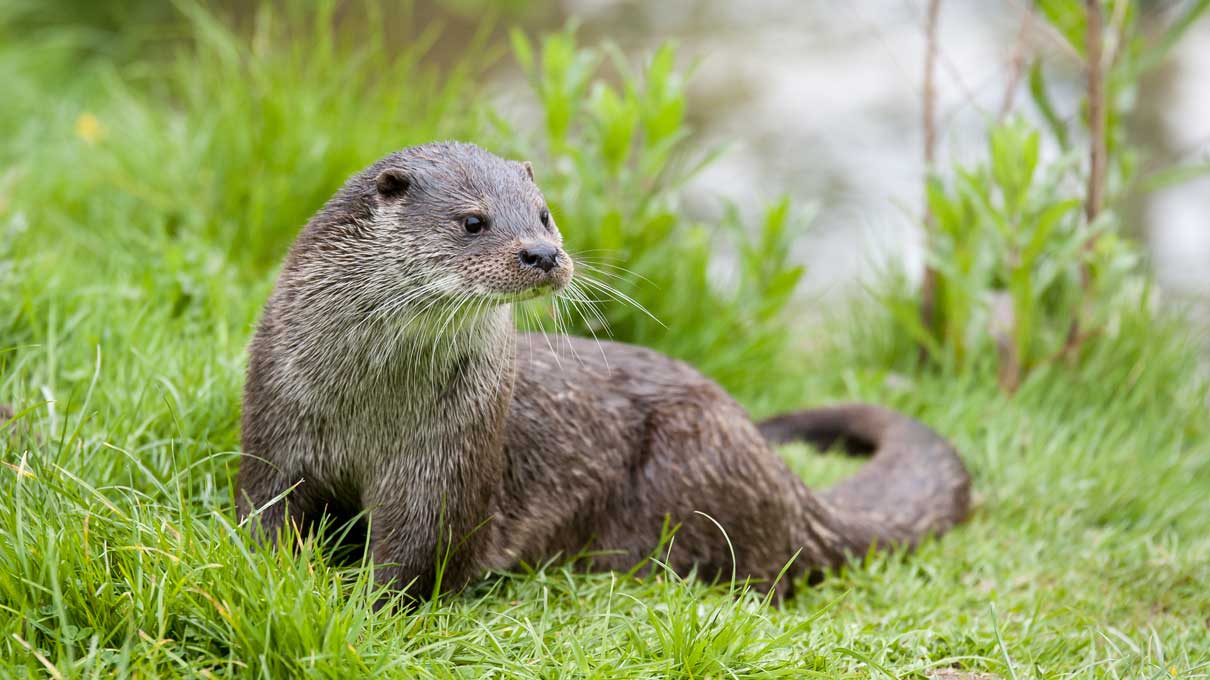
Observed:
{"x":1029,"y":250}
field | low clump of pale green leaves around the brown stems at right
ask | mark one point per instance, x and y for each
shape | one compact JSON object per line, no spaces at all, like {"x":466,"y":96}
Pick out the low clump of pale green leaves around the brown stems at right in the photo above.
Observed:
{"x":1009,"y":247}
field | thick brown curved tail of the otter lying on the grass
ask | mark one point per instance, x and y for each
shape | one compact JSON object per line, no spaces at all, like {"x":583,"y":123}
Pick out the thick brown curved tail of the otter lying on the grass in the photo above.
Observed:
{"x":913,"y":487}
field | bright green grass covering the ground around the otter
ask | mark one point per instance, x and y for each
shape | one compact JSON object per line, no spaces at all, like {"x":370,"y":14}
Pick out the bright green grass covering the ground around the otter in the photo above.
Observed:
{"x":143,"y":209}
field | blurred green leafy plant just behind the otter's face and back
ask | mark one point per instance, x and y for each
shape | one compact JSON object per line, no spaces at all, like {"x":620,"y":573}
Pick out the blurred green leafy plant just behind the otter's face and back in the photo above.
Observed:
{"x":613,"y":159}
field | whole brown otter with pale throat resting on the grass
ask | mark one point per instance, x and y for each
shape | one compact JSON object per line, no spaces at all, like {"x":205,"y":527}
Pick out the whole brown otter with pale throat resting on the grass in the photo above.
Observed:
{"x":387,"y":379}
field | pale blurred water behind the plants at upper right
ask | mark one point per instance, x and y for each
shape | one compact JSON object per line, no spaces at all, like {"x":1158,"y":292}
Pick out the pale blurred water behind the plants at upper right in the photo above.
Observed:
{"x":822,"y":101}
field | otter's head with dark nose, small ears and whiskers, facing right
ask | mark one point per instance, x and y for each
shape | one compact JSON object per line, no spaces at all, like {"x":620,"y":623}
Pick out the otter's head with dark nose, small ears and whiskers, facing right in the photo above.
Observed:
{"x":458,"y":223}
